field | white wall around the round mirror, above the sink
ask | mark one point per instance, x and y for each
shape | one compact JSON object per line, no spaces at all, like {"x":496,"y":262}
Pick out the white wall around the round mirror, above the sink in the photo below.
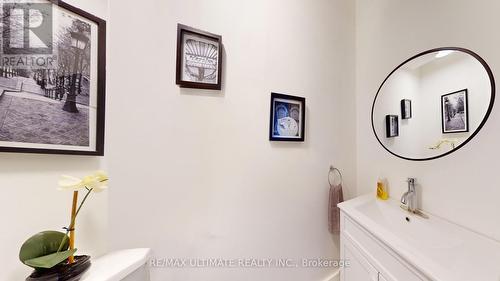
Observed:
{"x":460,"y":187}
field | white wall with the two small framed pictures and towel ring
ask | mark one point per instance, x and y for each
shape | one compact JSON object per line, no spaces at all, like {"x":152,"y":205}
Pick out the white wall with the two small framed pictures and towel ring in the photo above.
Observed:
{"x":194,"y":174}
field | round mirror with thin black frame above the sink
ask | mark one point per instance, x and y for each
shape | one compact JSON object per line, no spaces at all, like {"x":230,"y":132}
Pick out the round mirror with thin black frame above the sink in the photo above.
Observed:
{"x":433,"y":103}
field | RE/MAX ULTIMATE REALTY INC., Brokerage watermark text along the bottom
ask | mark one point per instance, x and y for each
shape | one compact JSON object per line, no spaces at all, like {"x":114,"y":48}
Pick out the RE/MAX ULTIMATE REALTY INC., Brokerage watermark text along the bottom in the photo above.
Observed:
{"x":247,"y":263}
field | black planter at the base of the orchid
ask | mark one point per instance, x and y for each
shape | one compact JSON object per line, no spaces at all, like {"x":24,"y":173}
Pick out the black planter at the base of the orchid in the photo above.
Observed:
{"x":62,"y":272}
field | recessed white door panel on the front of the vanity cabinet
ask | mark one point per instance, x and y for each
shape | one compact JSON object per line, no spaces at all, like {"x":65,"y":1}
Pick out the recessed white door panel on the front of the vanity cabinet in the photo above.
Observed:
{"x":359,"y":268}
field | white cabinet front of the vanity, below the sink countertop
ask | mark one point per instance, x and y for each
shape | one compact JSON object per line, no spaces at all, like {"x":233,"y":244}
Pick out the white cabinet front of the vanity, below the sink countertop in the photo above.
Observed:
{"x":369,"y":259}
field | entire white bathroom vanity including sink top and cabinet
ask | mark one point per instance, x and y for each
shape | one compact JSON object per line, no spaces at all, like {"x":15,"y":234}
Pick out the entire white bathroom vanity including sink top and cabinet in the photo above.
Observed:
{"x":383,"y":242}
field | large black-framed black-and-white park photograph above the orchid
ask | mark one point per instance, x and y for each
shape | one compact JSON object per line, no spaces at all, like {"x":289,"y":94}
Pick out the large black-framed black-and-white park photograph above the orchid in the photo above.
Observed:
{"x":52,"y":79}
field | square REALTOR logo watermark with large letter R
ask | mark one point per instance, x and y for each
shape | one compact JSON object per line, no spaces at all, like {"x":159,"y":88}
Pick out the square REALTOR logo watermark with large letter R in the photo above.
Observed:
{"x":27,"y":35}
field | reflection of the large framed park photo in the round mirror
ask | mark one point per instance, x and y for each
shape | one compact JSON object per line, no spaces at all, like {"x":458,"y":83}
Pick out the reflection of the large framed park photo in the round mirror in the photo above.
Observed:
{"x":455,"y":112}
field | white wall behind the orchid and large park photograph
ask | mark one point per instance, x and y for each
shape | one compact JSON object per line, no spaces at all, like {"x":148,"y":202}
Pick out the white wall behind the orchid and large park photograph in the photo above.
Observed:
{"x":30,"y":201}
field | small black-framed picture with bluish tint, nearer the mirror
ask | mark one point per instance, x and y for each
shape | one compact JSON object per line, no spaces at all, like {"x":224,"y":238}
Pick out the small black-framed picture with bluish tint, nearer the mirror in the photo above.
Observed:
{"x":287,"y":118}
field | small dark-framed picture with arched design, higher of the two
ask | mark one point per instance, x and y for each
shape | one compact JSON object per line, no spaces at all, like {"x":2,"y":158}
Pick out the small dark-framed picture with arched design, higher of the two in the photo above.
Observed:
{"x":199,"y":59}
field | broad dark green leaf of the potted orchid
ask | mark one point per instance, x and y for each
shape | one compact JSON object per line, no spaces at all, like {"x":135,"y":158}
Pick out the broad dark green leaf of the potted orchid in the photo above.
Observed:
{"x":42,"y":244}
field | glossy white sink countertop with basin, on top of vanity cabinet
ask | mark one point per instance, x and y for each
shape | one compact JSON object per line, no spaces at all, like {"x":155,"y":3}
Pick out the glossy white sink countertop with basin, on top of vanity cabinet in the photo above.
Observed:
{"x":440,"y":249}
